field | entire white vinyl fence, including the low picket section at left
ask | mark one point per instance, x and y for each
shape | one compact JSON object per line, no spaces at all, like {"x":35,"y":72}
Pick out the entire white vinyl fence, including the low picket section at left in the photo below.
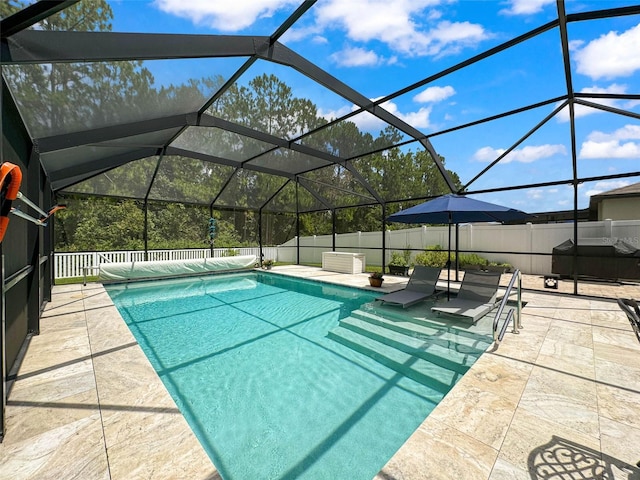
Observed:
{"x":527,"y":247}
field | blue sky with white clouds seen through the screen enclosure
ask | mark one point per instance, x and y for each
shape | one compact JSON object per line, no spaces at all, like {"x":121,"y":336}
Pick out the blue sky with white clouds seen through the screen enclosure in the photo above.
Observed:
{"x":381,"y":46}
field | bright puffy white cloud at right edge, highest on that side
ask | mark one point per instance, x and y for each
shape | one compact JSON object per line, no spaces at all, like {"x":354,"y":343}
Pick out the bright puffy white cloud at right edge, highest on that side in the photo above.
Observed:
{"x":611,"y":55}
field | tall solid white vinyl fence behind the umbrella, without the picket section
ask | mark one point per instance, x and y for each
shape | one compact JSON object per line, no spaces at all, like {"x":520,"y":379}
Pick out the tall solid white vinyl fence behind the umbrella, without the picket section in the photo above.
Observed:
{"x":527,"y":247}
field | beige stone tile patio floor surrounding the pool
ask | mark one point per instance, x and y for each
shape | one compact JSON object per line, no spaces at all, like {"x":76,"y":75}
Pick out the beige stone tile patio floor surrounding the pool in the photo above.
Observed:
{"x":562,"y":398}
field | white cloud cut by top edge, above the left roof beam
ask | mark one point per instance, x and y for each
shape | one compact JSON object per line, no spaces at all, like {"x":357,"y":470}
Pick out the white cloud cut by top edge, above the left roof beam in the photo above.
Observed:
{"x":225,"y":16}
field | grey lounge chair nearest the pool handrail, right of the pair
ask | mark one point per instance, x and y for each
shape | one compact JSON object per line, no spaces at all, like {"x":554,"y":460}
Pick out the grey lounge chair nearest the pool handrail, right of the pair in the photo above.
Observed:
{"x":476,"y":297}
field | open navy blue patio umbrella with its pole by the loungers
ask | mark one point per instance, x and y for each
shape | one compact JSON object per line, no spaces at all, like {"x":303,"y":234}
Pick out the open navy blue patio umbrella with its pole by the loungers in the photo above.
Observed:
{"x":454,"y":209}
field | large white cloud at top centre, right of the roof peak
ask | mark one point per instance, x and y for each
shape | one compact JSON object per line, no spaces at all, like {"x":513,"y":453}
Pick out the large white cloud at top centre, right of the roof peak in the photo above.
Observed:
{"x":399,"y":24}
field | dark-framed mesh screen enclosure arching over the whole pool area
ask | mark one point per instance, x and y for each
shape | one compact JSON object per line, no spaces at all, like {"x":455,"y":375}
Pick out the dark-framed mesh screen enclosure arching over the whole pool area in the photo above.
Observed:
{"x":298,"y":119}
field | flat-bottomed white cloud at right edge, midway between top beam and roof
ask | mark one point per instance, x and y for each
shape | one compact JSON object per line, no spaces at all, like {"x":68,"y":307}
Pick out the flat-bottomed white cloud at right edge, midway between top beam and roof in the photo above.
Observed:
{"x":622,"y":143}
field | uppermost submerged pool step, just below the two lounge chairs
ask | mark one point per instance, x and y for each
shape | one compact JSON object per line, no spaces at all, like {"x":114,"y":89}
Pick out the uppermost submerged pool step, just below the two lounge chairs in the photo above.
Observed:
{"x":431,"y":333}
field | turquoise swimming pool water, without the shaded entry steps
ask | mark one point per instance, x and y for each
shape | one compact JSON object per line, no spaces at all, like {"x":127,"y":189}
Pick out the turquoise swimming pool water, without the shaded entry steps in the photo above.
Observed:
{"x":251,"y":361}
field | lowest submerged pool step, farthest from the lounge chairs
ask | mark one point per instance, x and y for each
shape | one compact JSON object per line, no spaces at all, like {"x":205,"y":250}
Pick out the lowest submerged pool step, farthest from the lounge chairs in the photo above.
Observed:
{"x":422,"y":371}
